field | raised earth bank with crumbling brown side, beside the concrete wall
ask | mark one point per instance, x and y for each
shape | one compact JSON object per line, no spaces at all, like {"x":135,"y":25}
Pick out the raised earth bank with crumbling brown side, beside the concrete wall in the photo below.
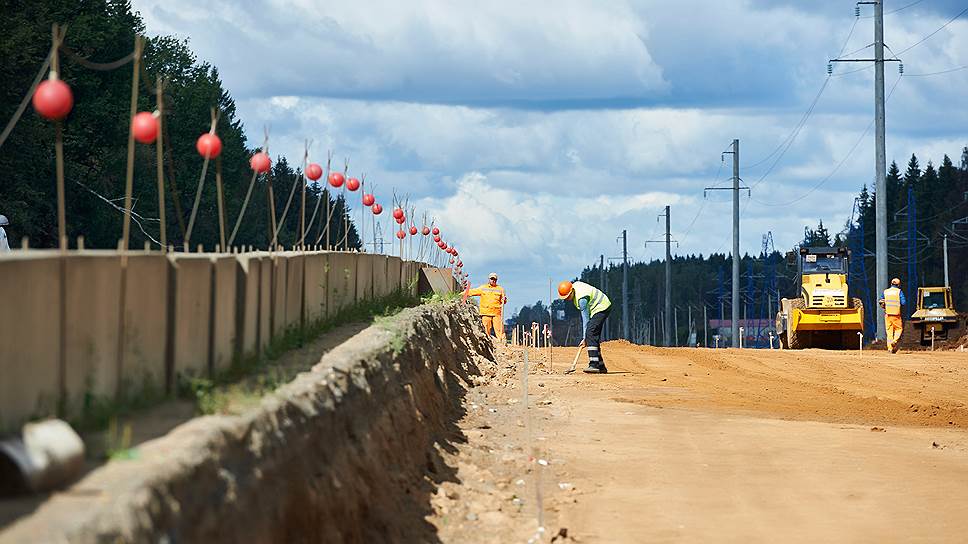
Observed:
{"x":347,"y":452}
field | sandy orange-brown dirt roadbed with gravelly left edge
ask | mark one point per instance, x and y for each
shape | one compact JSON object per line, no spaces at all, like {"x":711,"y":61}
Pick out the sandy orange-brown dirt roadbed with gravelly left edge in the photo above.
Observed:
{"x":687,"y":445}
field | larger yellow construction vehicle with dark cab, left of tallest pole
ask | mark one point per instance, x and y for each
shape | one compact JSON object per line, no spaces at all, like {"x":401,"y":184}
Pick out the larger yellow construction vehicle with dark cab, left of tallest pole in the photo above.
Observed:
{"x":825,"y":315}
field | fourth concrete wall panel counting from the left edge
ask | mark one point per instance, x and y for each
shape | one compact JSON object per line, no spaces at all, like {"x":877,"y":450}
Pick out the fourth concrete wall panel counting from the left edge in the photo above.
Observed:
{"x":193,"y":314}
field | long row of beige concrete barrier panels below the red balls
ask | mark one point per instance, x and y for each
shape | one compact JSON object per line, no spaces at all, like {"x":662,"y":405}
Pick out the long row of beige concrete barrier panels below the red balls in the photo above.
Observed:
{"x":182,"y":314}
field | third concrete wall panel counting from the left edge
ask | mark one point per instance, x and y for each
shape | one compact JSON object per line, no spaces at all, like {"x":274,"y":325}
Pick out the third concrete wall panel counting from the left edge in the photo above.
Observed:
{"x":146,"y":325}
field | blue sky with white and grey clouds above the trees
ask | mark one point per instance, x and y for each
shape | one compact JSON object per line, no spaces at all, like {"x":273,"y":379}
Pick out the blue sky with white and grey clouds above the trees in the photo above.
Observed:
{"x":534,"y":133}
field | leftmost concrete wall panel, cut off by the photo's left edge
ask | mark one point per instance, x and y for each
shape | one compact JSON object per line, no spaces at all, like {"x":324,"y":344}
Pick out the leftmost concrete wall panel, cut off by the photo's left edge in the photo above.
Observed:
{"x":30,"y":333}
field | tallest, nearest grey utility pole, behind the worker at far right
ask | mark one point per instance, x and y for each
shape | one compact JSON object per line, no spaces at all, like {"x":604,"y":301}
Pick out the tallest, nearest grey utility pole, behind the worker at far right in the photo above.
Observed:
{"x":880,"y":155}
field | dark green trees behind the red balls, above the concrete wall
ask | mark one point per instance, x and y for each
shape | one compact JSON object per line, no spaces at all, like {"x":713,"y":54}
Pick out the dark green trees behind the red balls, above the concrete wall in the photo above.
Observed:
{"x":96,"y":132}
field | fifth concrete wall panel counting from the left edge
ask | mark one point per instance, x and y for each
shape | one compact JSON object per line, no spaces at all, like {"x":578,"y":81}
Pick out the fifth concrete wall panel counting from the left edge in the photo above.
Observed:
{"x":224,"y":301}
